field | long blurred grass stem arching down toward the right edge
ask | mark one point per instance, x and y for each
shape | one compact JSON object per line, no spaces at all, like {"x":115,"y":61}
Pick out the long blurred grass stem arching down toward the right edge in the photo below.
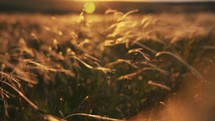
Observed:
{"x":193,"y":70}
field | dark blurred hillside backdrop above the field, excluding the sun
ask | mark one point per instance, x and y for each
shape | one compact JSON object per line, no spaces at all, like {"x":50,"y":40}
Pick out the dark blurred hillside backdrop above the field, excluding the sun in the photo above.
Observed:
{"x":60,"y":6}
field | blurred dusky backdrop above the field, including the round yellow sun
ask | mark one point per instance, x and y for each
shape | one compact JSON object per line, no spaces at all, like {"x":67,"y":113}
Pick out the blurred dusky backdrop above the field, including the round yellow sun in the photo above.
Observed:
{"x":102,"y":5}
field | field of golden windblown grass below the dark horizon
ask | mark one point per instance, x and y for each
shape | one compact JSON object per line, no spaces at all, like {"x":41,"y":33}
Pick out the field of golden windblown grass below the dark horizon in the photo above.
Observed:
{"x":106,"y":67}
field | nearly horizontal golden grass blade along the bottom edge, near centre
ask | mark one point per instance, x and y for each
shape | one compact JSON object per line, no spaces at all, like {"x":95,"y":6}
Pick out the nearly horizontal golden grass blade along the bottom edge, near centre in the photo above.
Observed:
{"x":94,"y":116}
